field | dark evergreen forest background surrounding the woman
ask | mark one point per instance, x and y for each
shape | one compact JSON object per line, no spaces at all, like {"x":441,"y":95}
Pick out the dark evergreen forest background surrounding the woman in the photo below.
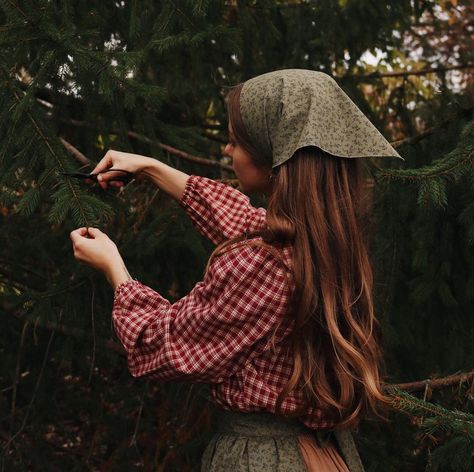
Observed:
{"x":149,"y":77}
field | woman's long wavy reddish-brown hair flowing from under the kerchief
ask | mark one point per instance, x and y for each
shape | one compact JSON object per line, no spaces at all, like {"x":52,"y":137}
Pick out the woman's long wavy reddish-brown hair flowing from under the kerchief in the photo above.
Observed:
{"x":319,"y":203}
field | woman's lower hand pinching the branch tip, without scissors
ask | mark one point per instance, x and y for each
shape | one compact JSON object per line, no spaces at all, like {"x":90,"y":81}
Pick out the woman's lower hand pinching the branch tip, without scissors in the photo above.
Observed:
{"x":95,"y":248}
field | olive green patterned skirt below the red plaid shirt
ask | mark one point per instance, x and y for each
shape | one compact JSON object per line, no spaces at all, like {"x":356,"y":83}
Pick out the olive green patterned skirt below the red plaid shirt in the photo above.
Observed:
{"x":263,"y":442}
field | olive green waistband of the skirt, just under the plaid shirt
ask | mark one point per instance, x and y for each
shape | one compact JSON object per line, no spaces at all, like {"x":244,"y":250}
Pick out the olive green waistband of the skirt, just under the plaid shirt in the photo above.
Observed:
{"x":264,"y":424}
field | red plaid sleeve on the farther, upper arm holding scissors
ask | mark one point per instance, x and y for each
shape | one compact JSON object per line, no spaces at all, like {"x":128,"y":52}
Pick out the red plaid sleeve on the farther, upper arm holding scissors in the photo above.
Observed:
{"x":219,"y":211}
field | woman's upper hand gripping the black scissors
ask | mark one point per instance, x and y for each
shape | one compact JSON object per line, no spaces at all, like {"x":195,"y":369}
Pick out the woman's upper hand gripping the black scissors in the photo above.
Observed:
{"x":118,"y":160}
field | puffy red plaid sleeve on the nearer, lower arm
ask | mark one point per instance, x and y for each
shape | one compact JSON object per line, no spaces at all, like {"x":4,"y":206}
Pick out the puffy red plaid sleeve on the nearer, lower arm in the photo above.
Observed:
{"x":213,"y":331}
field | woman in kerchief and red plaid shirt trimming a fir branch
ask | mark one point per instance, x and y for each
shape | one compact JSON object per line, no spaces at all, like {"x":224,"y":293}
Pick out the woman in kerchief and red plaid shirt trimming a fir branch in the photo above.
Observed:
{"x":282,"y":326}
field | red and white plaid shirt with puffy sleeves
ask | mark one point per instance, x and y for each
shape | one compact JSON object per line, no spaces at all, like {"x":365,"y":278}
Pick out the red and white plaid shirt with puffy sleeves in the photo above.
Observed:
{"x":220,"y":332}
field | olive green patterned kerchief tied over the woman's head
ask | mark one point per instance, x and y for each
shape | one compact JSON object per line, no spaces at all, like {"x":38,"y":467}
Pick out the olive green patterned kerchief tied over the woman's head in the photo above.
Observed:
{"x":286,"y":110}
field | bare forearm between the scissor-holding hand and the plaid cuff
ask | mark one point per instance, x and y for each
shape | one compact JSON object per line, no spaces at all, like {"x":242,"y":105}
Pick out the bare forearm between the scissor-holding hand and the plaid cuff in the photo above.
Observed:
{"x":172,"y":181}
